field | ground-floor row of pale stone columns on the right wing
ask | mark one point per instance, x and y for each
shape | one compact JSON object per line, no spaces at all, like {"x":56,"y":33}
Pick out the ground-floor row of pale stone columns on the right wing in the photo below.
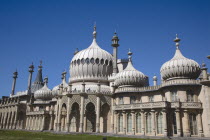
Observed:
{"x":150,"y":123}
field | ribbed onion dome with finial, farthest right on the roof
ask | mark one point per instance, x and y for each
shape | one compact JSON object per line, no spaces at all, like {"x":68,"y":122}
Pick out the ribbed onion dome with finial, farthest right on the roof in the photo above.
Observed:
{"x":180,"y":66}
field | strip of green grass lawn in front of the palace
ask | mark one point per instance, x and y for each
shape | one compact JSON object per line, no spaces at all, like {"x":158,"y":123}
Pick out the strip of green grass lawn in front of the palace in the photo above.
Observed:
{"x":24,"y":135}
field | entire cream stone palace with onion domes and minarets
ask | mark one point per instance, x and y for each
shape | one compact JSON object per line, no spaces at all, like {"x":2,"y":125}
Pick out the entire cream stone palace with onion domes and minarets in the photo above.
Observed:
{"x":105,"y":94}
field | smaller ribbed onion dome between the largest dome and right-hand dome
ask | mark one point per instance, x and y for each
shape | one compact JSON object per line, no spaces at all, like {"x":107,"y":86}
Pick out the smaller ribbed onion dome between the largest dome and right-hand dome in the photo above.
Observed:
{"x":130,"y":76}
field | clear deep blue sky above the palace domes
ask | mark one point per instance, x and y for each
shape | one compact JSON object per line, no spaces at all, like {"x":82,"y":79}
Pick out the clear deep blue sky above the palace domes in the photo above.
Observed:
{"x":49,"y":30}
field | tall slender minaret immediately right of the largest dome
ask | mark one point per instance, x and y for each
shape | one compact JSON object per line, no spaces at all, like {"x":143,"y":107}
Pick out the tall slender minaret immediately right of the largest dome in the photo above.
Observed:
{"x":115,"y":45}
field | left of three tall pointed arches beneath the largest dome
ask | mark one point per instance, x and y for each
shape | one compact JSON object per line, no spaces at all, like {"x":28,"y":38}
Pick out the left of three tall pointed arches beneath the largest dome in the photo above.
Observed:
{"x":74,"y":118}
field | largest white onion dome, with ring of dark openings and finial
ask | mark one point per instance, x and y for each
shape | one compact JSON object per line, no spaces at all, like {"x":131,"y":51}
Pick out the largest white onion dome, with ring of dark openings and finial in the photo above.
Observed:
{"x":92,"y":64}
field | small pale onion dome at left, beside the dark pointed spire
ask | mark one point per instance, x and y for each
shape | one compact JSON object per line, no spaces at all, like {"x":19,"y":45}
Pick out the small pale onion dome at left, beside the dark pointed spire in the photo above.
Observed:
{"x":44,"y":93}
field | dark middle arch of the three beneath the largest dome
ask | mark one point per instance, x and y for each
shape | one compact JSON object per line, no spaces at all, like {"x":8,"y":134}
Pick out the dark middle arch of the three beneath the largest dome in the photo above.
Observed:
{"x":90,"y":118}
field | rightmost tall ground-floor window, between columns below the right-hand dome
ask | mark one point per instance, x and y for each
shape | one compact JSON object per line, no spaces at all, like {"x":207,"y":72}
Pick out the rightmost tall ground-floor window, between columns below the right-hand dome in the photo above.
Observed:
{"x":193,"y":124}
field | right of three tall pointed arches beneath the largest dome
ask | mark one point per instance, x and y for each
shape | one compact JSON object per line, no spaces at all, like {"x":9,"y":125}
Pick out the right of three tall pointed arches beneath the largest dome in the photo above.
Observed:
{"x":105,"y":117}
